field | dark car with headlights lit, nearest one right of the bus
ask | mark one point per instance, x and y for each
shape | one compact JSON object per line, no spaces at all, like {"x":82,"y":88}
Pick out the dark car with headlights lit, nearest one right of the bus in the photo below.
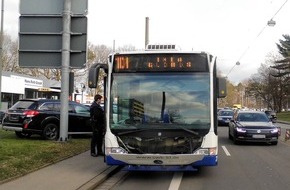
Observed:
{"x":252,"y":126}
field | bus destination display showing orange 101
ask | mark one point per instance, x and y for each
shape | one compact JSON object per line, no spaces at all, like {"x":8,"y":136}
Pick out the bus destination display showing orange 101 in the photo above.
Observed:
{"x":160,"y":62}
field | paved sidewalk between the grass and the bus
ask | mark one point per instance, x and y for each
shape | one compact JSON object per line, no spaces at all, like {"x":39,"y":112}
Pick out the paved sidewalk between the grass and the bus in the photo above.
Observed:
{"x":78,"y":172}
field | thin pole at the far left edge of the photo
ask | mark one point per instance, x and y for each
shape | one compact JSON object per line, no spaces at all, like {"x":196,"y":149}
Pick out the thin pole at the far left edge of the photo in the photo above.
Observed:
{"x":1,"y":50}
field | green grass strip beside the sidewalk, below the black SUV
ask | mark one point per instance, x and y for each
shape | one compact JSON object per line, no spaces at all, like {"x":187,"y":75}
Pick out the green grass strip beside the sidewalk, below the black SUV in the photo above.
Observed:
{"x":21,"y":156}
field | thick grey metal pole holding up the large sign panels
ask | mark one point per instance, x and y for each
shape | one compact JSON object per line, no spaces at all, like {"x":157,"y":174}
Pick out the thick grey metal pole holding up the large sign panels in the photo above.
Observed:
{"x":64,"y":96}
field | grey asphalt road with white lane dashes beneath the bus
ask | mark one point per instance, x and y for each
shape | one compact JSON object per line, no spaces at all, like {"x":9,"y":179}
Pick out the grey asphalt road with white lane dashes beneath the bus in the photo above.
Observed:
{"x":245,"y":166}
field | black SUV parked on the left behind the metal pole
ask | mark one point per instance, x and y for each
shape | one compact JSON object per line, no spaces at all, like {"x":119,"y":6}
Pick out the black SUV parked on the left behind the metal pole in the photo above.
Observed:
{"x":42,"y":116}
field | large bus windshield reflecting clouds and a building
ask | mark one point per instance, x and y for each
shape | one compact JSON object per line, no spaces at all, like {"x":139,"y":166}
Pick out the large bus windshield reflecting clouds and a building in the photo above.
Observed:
{"x":165,"y":100}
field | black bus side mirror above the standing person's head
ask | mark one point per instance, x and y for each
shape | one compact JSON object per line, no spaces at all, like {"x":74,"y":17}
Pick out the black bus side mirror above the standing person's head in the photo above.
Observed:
{"x":94,"y":74}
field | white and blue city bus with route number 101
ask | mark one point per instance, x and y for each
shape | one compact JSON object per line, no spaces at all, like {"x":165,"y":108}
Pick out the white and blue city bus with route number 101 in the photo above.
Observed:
{"x":161,"y":108}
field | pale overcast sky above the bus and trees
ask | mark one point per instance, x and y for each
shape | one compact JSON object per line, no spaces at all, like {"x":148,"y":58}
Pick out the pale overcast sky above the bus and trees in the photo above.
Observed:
{"x":229,"y":29}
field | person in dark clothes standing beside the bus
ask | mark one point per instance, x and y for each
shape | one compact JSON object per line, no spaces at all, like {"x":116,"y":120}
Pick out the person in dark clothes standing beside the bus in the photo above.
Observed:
{"x":98,"y":126}
